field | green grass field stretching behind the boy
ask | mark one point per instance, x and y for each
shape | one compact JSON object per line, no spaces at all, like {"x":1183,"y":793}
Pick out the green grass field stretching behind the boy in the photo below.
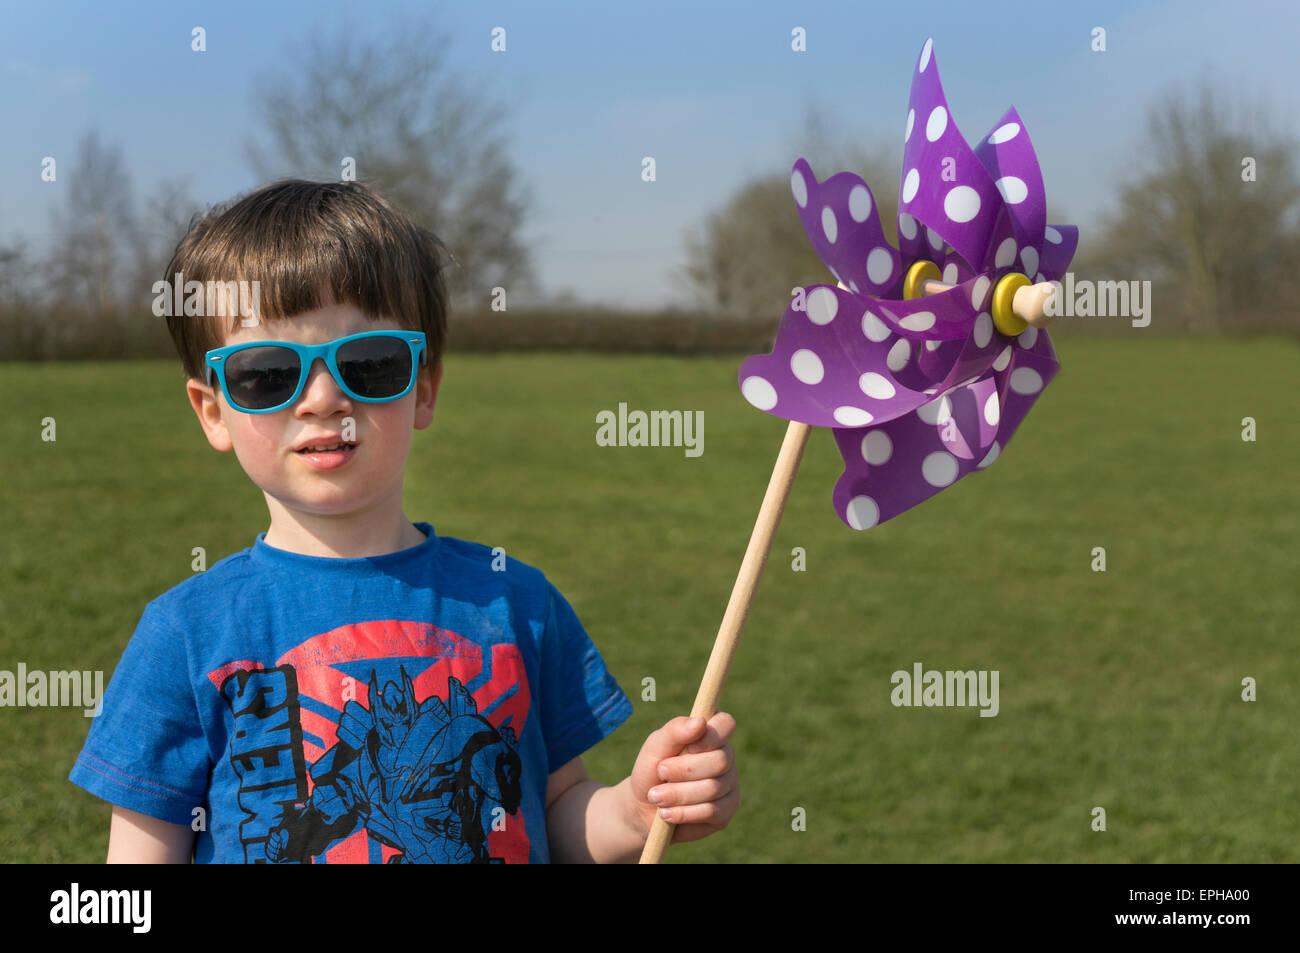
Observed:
{"x":1120,"y":690}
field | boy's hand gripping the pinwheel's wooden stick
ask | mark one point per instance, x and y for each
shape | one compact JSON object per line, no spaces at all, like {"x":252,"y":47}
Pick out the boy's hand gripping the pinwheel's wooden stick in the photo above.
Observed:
{"x":691,"y":769}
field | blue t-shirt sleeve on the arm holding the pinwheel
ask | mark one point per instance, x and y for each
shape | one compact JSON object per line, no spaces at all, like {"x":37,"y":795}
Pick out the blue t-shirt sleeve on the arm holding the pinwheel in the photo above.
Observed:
{"x":580,"y":701}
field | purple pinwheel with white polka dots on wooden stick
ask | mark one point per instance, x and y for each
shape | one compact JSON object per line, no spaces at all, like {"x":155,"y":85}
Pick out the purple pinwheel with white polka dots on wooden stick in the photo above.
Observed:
{"x":924,"y":359}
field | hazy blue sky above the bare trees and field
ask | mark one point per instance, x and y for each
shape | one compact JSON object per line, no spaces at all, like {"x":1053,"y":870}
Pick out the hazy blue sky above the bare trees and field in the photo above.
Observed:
{"x":713,"y":92}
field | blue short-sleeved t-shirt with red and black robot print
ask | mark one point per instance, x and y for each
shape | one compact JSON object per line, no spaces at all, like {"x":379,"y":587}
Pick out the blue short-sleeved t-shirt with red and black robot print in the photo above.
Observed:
{"x":404,"y":708}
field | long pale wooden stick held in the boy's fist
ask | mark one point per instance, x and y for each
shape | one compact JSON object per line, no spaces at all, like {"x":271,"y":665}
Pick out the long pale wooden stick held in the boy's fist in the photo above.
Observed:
{"x":738,"y":608}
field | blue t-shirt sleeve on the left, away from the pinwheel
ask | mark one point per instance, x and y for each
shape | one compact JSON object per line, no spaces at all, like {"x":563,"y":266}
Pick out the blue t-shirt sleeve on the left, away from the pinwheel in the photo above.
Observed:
{"x":146,"y":751}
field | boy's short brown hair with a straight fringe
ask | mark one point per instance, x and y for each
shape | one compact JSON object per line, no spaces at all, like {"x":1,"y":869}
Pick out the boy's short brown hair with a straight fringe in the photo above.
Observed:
{"x":304,"y":242}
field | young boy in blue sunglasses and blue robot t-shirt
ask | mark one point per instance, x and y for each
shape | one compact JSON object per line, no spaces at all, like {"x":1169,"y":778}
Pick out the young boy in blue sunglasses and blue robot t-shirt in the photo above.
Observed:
{"x":354,"y":688}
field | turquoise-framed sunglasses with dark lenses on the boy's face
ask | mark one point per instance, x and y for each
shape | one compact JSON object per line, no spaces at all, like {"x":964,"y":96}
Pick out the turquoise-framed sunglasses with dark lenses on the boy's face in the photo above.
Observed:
{"x":267,"y":376}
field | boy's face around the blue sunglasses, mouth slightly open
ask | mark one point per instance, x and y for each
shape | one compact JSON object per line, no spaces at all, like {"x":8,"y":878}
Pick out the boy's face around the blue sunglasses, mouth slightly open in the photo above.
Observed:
{"x":369,"y":486}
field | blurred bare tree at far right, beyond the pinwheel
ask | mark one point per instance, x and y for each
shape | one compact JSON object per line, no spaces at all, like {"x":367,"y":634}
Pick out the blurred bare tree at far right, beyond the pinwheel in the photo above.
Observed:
{"x":1211,"y":216}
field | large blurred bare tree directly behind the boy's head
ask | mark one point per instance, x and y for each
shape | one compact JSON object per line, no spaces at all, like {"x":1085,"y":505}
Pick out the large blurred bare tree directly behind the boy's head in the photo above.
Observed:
{"x":419,"y":133}
